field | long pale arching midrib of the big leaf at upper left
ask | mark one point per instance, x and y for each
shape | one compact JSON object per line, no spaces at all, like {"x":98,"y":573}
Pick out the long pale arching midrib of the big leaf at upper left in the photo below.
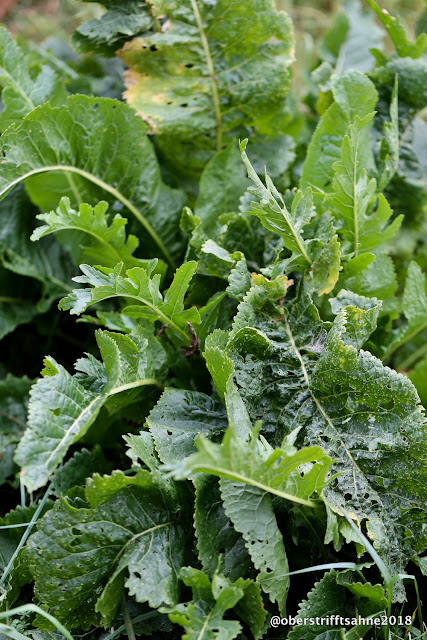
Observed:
{"x":106,"y":187}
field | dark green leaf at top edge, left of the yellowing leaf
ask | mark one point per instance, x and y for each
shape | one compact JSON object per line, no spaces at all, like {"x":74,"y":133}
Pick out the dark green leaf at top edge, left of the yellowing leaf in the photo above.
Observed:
{"x":122,"y":20}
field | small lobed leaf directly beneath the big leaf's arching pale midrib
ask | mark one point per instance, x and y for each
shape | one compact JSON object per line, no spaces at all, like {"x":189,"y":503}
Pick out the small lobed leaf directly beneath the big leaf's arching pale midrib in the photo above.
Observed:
{"x":103,"y":244}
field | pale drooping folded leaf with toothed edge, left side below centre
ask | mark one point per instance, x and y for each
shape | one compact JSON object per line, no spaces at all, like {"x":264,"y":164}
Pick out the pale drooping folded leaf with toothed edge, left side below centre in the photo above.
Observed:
{"x":63,"y":407}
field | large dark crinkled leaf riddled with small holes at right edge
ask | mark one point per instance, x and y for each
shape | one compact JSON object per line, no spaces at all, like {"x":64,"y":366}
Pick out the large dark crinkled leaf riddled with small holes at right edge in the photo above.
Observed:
{"x":363,"y":414}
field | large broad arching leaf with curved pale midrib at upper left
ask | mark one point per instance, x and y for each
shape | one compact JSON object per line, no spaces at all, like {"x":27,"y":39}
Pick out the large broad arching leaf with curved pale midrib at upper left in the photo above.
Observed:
{"x":84,"y":154}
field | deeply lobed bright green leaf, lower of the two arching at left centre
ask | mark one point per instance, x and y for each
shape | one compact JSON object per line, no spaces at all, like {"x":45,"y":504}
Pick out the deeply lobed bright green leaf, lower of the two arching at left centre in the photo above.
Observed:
{"x":138,"y":286}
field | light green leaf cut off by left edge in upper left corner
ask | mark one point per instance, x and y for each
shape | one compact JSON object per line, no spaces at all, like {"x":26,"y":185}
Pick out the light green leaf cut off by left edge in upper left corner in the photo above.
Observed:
{"x":21,"y":90}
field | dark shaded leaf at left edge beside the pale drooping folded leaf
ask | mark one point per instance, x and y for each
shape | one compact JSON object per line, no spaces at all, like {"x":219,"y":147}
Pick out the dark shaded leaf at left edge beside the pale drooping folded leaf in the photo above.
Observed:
{"x":14,"y":395}
